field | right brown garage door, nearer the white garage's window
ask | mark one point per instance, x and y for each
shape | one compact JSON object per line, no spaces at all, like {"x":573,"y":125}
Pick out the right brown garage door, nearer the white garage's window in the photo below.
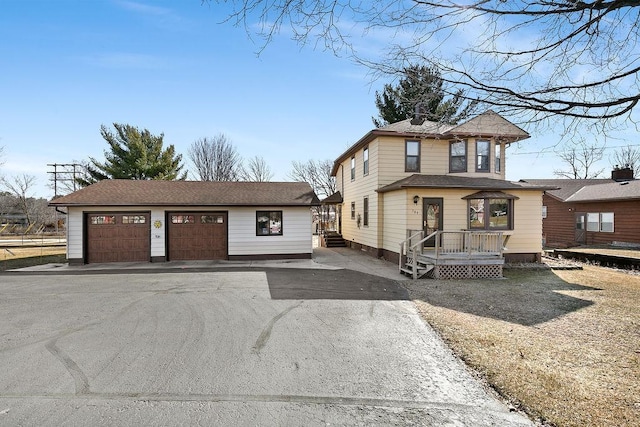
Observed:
{"x":197,"y":235}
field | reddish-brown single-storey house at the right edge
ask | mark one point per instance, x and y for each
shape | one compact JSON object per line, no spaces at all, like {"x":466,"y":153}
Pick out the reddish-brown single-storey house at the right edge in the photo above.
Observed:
{"x":591,"y":211}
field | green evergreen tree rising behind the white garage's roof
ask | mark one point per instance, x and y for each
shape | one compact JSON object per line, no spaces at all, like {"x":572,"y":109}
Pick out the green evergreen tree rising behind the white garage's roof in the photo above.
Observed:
{"x":133,"y":154}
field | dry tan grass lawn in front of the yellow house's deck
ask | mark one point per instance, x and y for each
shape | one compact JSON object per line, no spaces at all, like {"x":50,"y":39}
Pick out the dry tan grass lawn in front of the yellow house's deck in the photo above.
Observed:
{"x":564,"y":345}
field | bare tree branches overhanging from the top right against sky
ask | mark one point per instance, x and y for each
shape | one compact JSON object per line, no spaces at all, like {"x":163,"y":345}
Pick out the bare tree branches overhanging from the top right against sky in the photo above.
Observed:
{"x":550,"y":58}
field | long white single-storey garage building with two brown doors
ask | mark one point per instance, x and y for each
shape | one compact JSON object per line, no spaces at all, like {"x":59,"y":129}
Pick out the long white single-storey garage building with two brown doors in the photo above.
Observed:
{"x":139,"y":220}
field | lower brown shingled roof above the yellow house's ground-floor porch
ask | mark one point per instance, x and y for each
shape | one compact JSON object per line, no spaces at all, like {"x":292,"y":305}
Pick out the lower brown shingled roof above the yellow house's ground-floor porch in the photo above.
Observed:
{"x":452,"y":181}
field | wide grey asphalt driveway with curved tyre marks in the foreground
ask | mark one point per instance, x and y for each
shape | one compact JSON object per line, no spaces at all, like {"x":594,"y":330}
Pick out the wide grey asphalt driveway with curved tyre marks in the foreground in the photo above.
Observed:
{"x":239,"y":347}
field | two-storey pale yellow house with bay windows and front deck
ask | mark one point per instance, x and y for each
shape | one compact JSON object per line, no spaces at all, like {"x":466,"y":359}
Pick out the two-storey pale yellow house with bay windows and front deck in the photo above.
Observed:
{"x":419,"y":176}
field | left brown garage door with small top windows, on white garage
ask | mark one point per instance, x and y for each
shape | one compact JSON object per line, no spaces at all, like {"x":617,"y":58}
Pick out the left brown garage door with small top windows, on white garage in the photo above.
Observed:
{"x":118,"y":237}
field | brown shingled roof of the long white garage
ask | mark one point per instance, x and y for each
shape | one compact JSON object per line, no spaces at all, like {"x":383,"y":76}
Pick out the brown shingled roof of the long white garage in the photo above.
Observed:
{"x":124,"y":192}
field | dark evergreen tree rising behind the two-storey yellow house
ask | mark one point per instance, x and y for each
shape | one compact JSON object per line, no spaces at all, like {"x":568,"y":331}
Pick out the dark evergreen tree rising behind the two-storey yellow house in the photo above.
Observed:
{"x":423,"y":87}
